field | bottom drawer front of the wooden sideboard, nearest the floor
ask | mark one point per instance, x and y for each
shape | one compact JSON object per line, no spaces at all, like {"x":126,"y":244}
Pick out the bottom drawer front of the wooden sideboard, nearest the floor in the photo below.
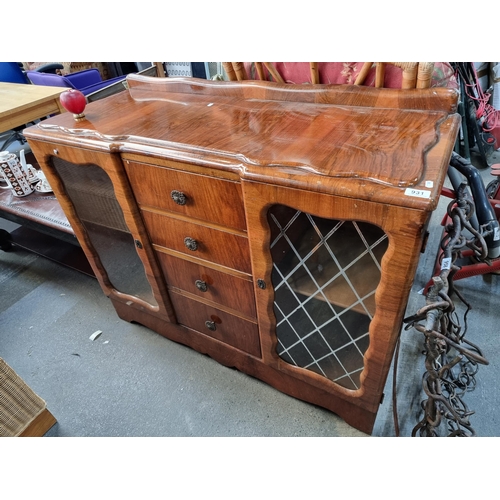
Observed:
{"x":217,"y":324}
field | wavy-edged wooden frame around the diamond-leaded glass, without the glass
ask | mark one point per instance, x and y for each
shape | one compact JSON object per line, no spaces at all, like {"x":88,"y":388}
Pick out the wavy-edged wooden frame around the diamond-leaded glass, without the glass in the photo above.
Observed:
{"x":405,"y":229}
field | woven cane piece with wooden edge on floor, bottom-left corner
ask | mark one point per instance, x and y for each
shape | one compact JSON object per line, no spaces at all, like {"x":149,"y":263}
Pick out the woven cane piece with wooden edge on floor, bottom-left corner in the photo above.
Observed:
{"x":22,"y":412}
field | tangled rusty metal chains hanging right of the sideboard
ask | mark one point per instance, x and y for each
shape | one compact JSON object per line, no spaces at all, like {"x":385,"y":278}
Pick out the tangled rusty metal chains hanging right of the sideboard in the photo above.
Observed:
{"x":451,"y":361}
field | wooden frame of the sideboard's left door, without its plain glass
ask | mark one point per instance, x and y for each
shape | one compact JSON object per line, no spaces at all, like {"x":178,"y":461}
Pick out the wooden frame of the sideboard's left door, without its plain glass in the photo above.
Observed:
{"x":111,"y":163}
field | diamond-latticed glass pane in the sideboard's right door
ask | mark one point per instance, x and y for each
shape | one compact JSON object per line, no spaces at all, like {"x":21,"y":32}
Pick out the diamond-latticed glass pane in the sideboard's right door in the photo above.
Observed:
{"x":325,"y":274}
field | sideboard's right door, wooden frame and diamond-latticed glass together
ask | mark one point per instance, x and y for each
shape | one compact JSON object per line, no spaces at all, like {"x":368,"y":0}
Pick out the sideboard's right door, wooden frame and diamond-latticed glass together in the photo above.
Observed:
{"x":332,"y":275}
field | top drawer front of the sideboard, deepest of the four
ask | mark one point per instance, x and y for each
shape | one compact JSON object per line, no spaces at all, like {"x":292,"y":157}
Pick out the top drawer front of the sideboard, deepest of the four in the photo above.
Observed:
{"x":207,"y":198}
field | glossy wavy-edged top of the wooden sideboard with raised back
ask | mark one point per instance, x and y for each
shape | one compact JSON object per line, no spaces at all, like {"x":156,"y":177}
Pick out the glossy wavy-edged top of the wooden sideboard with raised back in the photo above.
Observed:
{"x":354,"y":150}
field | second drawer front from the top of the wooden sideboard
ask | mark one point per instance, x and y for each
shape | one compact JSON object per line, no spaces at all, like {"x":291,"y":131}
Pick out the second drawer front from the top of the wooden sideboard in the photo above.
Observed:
{"x":226,"y":249}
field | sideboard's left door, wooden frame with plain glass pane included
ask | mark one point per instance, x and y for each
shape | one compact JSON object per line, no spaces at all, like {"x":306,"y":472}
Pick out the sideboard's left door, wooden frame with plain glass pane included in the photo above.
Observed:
{"x":108,"y":229}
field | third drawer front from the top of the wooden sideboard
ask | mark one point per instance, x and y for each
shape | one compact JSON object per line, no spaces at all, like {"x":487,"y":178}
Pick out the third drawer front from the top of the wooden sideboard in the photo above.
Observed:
{"x":209,"y":284}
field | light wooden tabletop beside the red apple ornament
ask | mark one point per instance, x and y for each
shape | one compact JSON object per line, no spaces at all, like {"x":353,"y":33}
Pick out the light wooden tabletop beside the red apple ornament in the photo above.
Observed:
{"x":21,"y":103}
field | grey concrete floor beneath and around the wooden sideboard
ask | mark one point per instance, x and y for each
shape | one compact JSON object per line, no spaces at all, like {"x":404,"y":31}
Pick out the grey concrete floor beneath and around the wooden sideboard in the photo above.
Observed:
{"x":131,"y":381}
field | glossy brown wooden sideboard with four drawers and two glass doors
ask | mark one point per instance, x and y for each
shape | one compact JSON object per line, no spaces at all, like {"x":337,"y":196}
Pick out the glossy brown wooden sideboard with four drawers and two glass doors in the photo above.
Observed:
{"x":276,"y":228}
